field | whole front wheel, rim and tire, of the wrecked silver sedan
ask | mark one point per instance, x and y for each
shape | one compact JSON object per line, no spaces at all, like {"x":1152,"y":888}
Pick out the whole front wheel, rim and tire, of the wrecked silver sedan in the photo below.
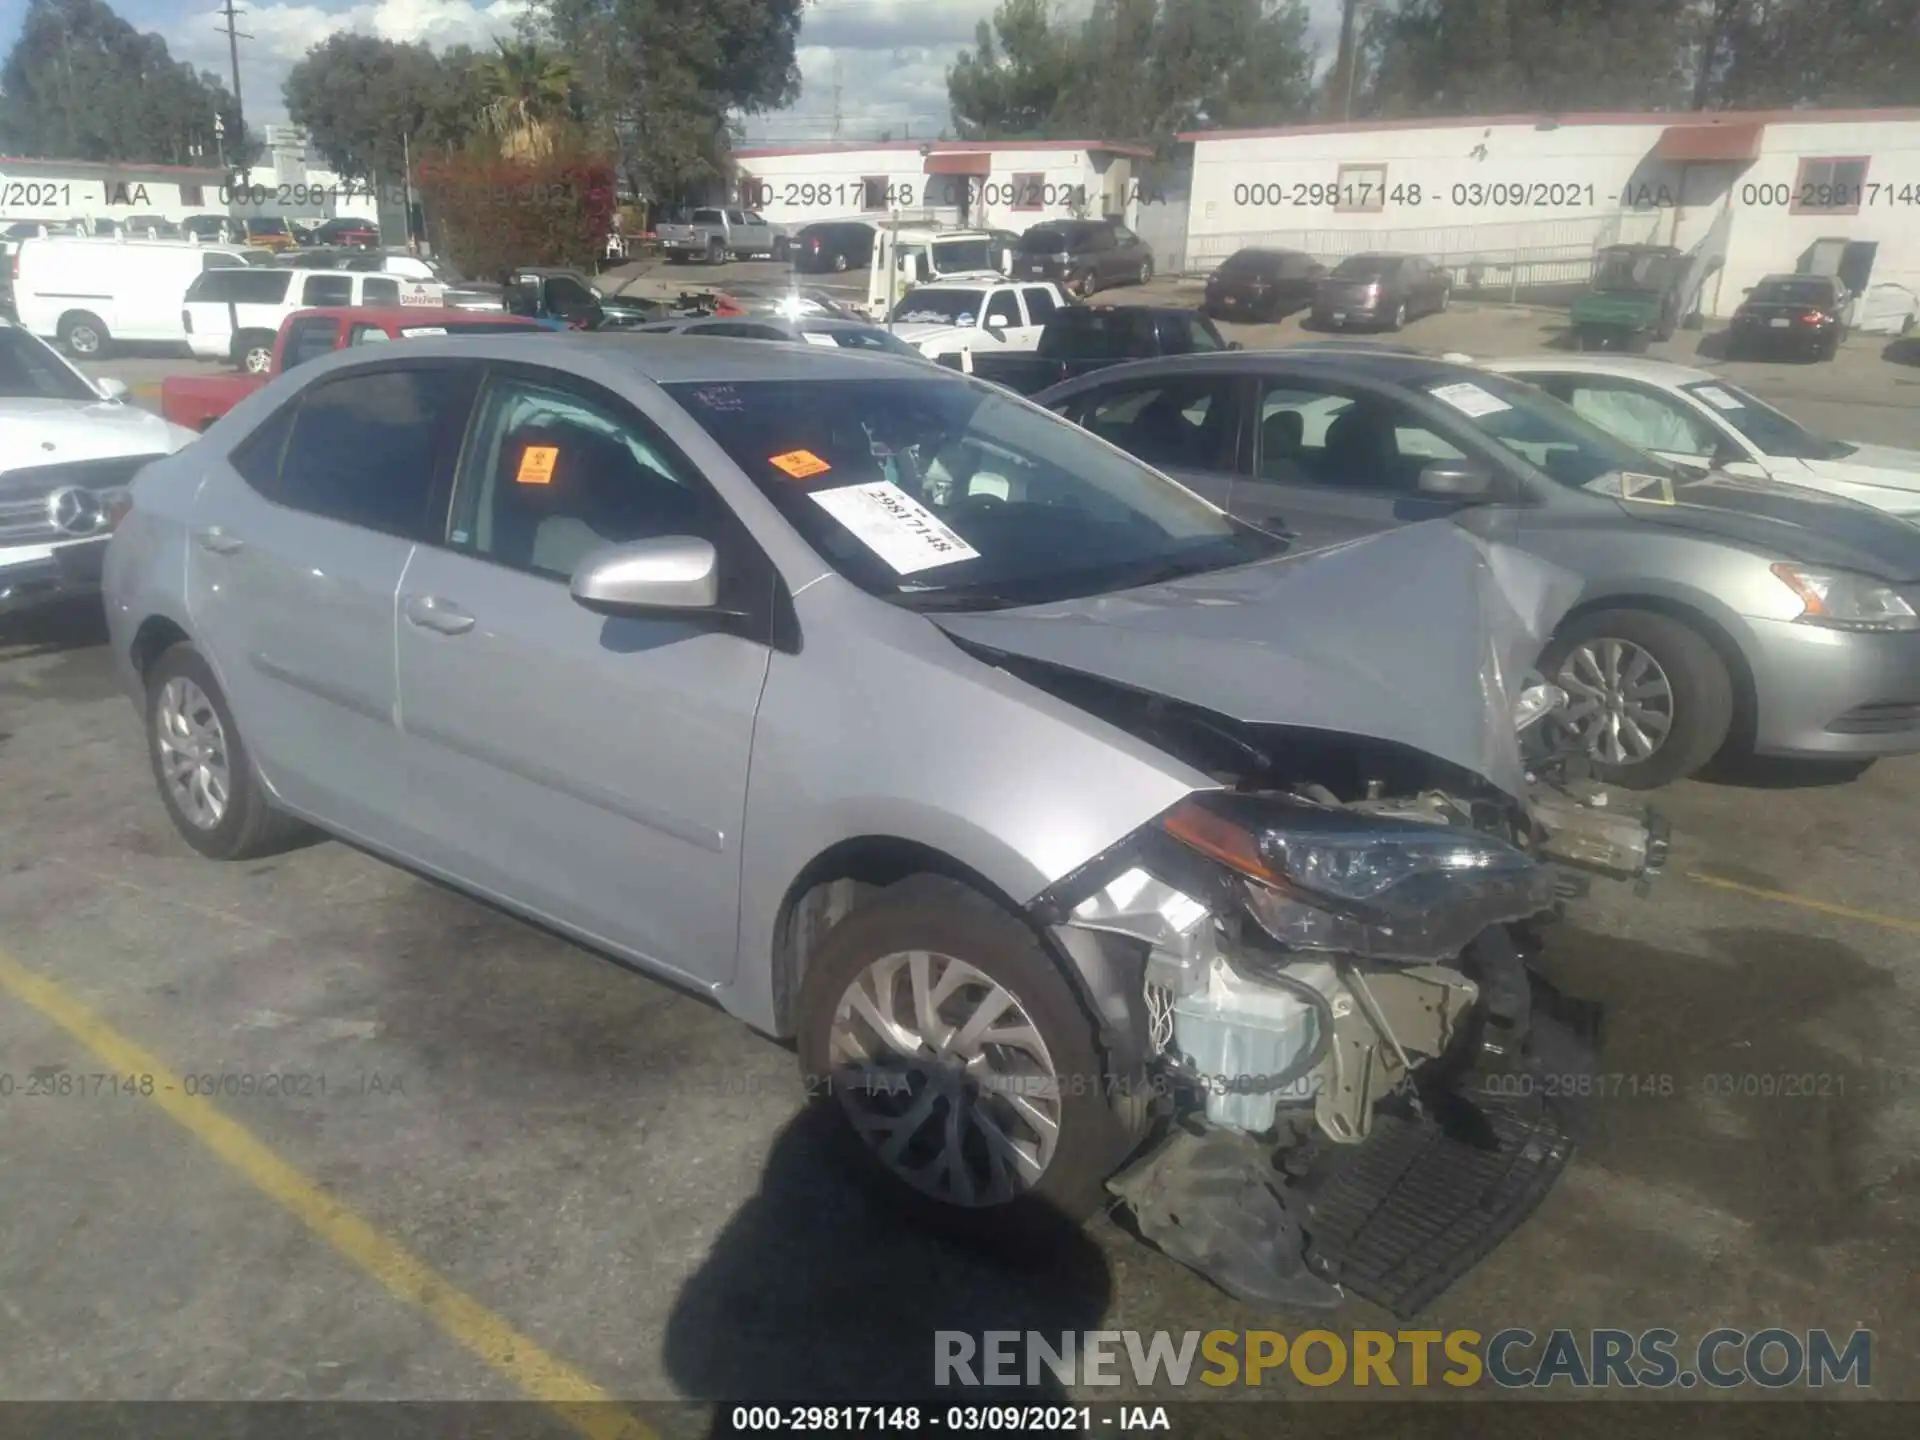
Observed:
{"x":961,"y":1063}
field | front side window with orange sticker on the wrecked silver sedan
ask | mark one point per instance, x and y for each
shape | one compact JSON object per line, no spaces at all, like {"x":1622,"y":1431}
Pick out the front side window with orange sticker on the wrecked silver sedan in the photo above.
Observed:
{"x":554,"y":475}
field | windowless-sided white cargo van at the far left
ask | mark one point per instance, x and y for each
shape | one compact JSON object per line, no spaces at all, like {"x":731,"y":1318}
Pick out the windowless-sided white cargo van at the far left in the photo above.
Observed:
{"x":91,"y":293}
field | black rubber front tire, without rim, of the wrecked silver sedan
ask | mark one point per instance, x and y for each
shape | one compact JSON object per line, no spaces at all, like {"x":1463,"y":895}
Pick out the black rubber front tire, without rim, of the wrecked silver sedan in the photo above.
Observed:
{"x":951,"y":923}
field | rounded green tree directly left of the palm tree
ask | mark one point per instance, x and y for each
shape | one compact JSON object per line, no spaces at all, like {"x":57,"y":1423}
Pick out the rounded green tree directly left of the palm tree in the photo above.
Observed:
{"x":364,"y":103}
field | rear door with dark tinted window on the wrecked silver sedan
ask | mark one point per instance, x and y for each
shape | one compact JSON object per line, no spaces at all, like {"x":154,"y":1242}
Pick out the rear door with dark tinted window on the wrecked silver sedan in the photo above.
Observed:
{"x":299,"y":544}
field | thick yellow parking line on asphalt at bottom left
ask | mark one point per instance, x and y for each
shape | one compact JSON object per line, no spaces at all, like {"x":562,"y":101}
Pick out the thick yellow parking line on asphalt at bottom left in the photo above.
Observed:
{"x":571,"y":1395}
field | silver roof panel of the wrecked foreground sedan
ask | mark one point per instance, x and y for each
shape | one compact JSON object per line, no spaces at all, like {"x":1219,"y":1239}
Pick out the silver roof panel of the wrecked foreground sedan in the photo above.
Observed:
{"x":673,"y":358}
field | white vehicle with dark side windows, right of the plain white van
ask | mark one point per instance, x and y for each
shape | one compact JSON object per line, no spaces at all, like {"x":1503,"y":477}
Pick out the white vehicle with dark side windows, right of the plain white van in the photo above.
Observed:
{"x":235,"y":314}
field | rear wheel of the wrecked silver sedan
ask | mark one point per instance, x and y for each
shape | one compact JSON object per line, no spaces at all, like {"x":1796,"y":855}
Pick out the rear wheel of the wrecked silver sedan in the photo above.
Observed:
{"x":203,"y":767}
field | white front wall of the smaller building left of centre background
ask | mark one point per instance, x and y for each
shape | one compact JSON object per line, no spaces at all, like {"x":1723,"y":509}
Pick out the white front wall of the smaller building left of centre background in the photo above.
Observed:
{"x":798,"y":189}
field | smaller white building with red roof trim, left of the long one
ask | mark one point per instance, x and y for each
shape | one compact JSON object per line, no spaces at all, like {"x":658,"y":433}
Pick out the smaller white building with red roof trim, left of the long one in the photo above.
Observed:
{"x":1003,"y":185}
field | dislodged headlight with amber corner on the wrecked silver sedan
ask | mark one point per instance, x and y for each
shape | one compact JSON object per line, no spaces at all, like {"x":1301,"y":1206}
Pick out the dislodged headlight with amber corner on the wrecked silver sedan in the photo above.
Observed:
{"x":1370,"y":886}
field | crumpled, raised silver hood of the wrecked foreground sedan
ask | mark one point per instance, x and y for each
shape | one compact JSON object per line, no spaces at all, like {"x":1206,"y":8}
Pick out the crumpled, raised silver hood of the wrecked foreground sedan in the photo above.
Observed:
{"x":1418,"y":636}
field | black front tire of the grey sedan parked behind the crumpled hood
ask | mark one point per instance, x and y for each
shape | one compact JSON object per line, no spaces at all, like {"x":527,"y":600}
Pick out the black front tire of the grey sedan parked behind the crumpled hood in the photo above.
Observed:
{"x":1700,"y":706}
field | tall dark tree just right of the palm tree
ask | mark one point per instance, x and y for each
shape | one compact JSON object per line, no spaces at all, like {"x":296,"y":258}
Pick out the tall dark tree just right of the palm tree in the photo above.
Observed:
{"x":661,"y":80}
